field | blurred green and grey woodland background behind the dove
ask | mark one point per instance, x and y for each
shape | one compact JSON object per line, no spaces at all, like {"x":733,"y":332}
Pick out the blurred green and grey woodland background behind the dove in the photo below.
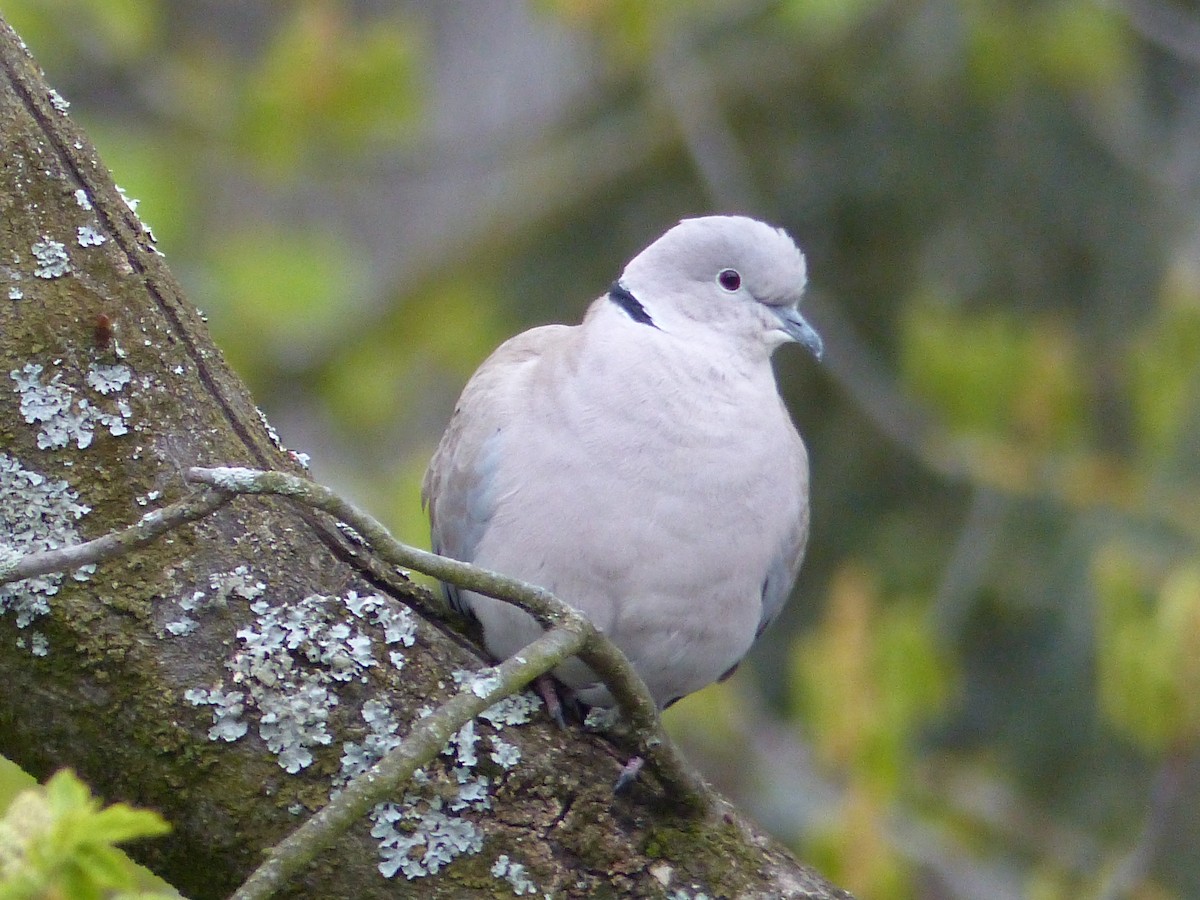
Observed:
{"x":998,"y":631}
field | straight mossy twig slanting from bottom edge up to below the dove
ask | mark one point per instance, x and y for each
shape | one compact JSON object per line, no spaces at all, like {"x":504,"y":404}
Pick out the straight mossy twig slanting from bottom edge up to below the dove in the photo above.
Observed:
{"x":428,"y":739}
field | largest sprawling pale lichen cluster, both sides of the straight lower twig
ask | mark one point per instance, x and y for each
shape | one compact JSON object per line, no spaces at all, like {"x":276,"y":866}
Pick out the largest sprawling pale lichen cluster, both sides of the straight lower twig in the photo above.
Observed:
{"x":289,"y":668}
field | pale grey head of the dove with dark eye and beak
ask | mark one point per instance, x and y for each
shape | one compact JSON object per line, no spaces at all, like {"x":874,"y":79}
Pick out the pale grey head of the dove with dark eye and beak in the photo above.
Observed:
{"x":724,"y":278}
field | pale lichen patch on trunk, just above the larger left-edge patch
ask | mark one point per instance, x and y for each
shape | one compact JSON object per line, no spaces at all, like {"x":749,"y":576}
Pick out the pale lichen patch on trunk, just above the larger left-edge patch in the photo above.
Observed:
{"x":68,"y":418}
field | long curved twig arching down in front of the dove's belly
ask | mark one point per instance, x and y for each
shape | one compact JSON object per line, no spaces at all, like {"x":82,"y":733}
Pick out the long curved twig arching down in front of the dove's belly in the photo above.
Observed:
{"x":685,"y":787}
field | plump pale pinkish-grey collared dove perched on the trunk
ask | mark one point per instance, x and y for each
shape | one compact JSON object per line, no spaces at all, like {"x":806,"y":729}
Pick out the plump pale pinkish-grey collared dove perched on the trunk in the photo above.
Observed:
{"x":641,"y":465}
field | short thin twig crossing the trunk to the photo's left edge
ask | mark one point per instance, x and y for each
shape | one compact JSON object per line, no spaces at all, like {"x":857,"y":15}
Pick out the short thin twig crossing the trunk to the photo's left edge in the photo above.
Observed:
{"x":145,"y":531}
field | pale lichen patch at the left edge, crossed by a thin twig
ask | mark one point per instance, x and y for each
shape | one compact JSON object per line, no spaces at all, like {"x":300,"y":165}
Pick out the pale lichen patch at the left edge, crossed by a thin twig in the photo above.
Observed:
{"x":37,"y":514}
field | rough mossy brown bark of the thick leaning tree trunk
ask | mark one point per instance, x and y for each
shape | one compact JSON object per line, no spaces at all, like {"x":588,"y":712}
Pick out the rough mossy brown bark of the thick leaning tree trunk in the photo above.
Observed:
{"x":130,"y":394}
